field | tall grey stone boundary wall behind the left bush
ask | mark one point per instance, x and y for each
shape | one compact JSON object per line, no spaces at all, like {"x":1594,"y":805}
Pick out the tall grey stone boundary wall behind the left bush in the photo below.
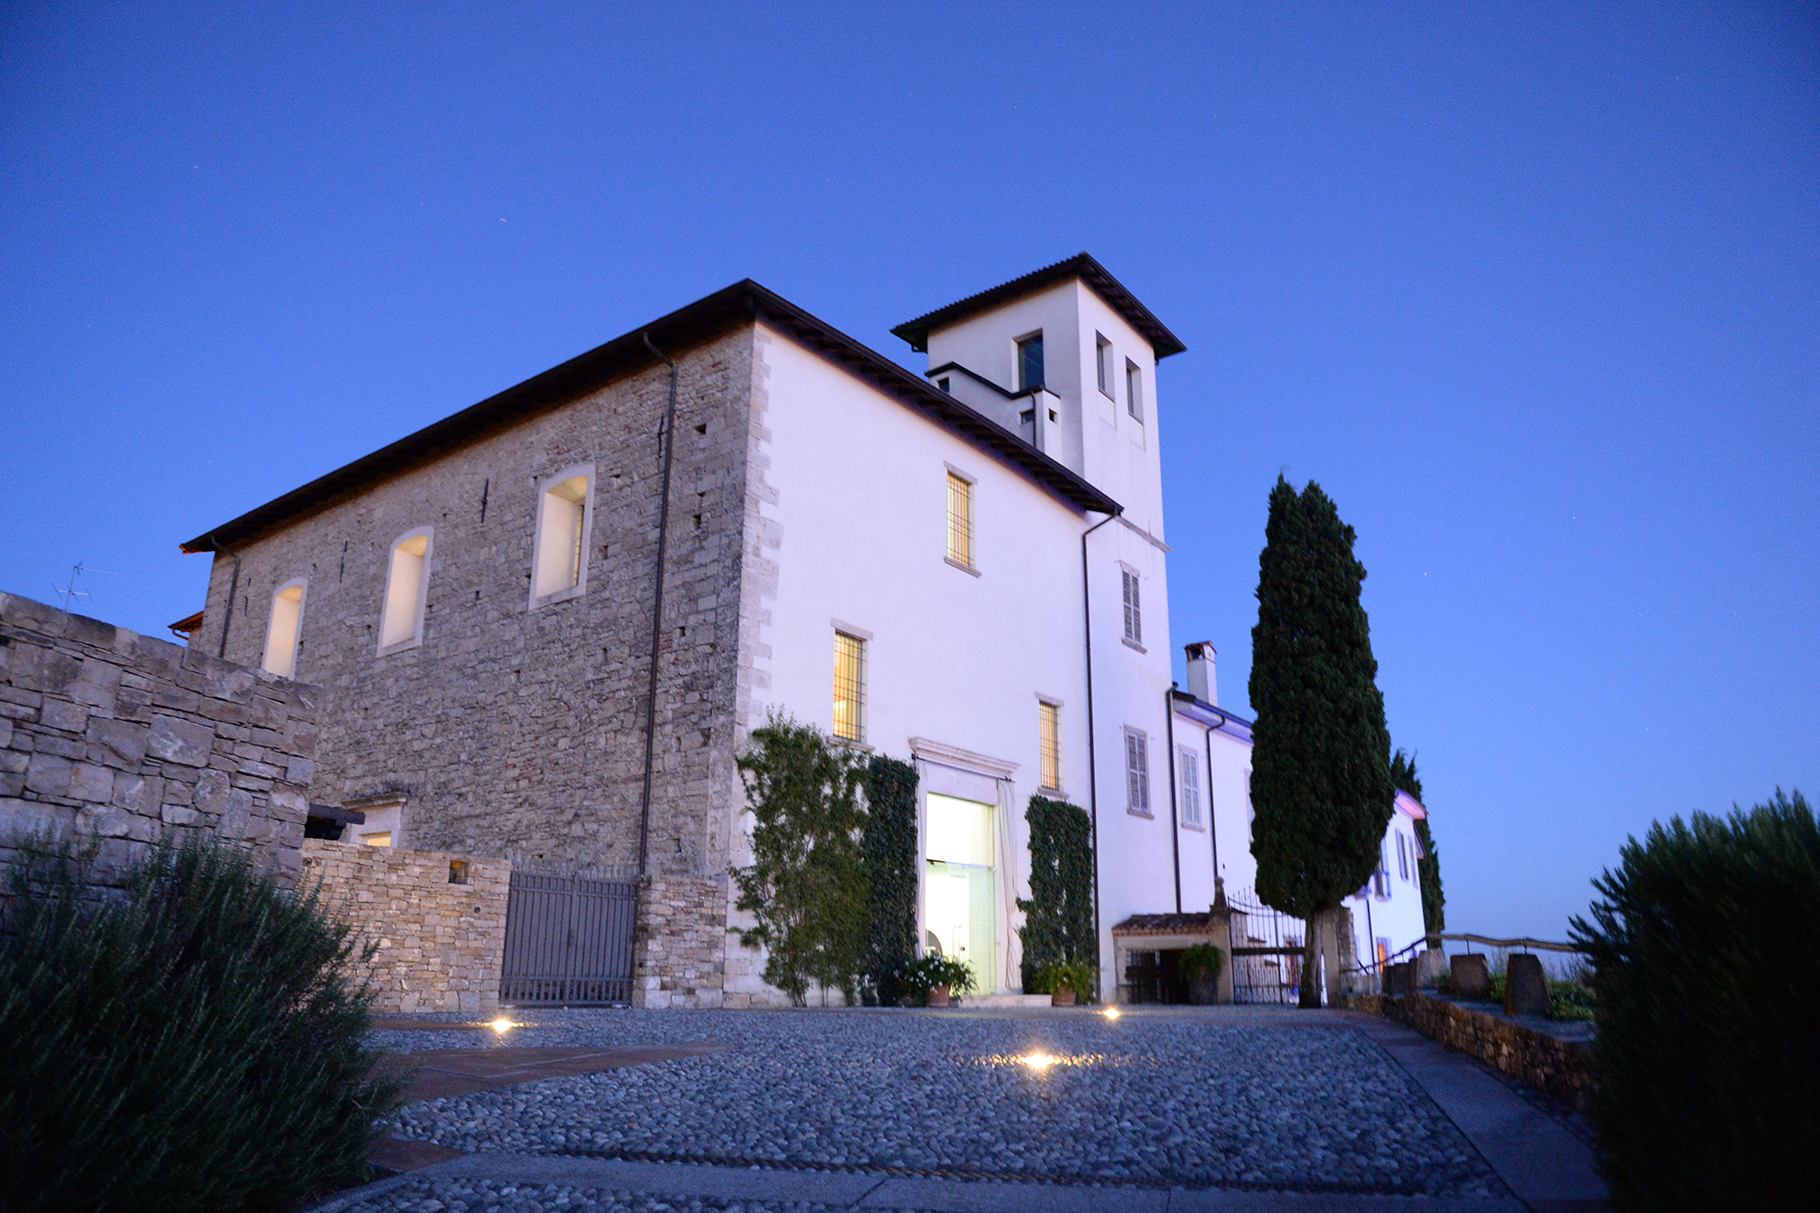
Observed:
{"x":116,"y":739}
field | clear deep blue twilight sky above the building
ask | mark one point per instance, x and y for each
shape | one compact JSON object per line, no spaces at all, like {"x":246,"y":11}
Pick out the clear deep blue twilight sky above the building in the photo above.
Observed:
{"x":1532,"y":291}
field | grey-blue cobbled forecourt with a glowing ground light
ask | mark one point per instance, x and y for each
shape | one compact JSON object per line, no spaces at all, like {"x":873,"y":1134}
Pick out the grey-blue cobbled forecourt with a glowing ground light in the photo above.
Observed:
{"x":1138,"y":1099}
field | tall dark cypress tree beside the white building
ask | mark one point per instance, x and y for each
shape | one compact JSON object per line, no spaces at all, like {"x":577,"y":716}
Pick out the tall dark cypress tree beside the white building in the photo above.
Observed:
{"x":1322,"y":755}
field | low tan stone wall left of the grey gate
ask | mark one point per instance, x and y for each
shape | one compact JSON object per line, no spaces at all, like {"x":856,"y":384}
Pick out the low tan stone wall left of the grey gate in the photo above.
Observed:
{"x":440,"y":944}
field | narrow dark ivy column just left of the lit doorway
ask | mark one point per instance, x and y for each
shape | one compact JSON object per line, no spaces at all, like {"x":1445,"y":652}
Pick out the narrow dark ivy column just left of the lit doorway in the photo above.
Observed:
{"x":891,"y":853}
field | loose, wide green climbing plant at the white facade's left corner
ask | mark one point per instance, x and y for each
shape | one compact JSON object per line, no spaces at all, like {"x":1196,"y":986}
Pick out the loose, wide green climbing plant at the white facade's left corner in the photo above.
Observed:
{"x":807,"y":884}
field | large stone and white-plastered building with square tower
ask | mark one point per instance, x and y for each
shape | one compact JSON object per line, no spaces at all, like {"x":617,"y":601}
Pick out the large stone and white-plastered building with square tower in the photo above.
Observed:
{"x":751,"y":513}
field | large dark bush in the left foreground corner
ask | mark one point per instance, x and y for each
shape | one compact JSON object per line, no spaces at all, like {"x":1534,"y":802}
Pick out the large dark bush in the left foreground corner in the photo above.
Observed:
{"x":194,"y":1046}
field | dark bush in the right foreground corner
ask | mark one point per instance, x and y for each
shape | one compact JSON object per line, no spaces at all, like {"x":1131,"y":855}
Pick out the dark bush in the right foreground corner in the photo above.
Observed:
{"x":1708,"y":957}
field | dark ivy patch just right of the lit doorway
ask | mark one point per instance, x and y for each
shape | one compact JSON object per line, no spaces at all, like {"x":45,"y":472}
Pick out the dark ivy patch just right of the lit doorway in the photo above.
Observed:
{"x":1060,"y":912}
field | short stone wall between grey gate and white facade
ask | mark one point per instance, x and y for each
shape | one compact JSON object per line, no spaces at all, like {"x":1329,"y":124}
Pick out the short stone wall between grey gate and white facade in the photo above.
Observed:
{"x":682,"y":944}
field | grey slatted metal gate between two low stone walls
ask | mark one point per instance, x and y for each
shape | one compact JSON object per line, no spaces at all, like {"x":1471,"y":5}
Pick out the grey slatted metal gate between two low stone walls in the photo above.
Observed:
{"x":569,"y":937}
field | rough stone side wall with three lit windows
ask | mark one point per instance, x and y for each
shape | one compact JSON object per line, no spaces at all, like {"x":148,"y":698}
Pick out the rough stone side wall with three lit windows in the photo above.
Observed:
{"x":516,"y":729}
